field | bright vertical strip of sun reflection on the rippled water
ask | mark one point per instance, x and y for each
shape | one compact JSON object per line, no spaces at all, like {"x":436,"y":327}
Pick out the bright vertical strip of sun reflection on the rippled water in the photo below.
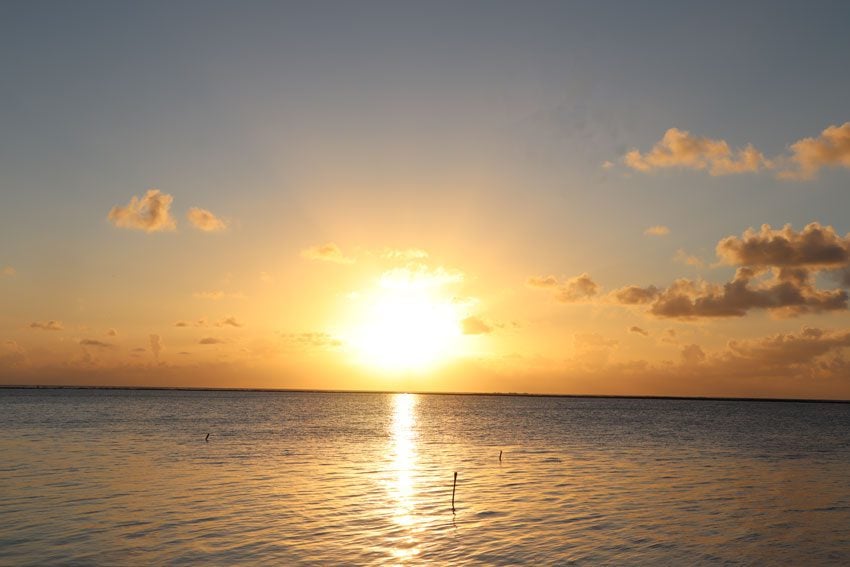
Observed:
{"x":403,"y":487}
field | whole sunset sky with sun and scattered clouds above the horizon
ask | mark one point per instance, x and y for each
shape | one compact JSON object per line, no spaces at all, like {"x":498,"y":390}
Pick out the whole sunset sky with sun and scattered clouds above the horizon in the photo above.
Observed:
{"x":546,"y":197}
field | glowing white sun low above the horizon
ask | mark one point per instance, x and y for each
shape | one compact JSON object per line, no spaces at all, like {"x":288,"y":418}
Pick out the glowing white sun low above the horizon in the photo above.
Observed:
{"x":407,"y":324}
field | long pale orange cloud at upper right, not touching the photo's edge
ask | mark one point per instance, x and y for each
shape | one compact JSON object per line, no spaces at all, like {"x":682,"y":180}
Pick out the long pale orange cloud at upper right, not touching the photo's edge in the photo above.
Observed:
{"x":679,"y":149}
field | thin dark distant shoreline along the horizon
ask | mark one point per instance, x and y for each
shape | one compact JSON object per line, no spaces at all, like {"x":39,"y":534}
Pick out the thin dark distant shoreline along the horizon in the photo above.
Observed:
{"x":499,"y":394}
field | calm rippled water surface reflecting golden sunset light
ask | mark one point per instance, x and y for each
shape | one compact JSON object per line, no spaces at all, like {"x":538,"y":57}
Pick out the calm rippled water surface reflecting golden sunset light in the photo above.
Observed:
{"x":125,"y":477}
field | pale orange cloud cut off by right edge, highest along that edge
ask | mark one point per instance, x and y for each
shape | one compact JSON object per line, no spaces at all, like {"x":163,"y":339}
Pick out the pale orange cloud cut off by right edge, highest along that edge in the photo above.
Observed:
{"x":808,"y":155}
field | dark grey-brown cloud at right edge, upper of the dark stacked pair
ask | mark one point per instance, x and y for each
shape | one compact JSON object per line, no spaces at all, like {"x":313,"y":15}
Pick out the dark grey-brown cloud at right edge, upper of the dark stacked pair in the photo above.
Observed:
{"x":815,"y":246}
